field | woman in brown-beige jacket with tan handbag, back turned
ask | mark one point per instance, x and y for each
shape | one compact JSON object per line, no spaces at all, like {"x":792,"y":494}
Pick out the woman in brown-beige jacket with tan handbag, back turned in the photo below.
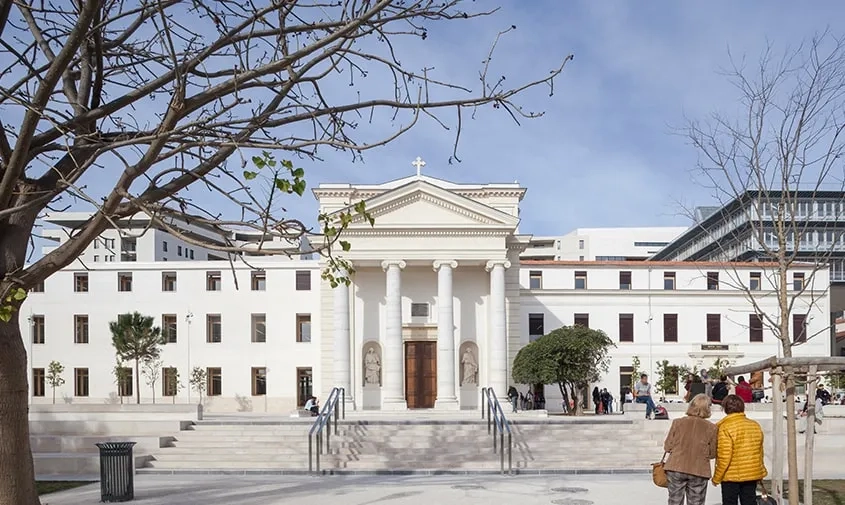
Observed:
{"x":691,"y":445}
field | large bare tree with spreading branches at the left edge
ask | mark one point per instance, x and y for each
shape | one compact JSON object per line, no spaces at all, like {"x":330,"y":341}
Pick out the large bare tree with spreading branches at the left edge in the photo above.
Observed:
{"x":158,"y":97}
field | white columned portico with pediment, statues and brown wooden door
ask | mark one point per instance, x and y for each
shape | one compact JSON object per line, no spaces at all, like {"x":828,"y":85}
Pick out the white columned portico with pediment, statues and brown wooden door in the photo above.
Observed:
{"x":424,"y":323}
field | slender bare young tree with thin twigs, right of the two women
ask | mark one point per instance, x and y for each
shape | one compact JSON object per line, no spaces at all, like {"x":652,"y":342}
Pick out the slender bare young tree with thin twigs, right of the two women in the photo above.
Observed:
{"x":777,"y":171}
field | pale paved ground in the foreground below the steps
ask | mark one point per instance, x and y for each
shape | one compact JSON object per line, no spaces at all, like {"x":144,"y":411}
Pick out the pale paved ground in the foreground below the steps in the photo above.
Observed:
{"x":416,"y":490}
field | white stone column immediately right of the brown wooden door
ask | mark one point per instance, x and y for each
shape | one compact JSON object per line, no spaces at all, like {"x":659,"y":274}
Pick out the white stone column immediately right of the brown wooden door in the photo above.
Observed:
{"x":446,"y":396}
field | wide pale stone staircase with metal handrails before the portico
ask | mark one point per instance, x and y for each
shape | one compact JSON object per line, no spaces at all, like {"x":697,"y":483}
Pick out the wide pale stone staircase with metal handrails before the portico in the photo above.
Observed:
{"x":437,"y":444}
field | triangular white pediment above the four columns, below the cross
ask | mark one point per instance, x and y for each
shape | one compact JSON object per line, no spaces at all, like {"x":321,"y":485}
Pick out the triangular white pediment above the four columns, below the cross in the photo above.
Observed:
{"x":420,"y":204}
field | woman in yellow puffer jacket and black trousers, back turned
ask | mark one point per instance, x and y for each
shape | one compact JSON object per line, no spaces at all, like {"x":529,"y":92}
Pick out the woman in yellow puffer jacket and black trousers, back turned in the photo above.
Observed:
{"x":739,"y":455}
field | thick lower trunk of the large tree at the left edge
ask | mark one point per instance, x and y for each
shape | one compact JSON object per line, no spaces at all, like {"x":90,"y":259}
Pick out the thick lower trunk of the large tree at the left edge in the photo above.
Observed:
{"x":17,"y":475}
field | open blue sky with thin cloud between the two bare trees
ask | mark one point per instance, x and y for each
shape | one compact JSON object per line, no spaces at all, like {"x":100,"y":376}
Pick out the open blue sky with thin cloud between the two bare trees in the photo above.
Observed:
{"x":607,"y":150}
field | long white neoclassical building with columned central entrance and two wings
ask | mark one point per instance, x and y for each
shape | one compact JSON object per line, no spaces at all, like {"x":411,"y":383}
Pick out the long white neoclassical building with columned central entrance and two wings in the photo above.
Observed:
{"x":438,"y":306}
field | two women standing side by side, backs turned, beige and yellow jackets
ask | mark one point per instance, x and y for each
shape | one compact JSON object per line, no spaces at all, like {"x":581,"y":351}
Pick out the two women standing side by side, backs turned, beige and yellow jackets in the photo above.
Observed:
{"x":735,"y":442}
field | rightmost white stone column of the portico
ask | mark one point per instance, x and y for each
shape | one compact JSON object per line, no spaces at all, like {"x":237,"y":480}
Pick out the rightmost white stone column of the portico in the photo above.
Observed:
{"x":497,"y":336}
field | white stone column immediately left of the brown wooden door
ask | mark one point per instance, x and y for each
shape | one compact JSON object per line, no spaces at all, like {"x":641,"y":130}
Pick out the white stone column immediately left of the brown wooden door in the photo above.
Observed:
{"x":393,"y":362}
